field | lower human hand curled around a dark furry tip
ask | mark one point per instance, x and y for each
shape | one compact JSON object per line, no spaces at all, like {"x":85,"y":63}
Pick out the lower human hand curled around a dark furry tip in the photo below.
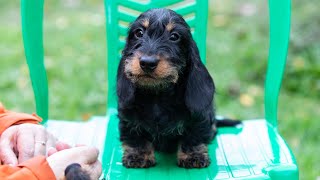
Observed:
{"x":86,"y":156}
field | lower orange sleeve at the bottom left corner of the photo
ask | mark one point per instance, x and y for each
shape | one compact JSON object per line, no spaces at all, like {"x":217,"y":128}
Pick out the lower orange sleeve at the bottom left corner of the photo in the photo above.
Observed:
{"x":34,"y":169}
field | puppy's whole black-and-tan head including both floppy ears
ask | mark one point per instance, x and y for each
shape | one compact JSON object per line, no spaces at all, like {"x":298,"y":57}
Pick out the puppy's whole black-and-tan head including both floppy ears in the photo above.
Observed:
{"x":159,"y":51}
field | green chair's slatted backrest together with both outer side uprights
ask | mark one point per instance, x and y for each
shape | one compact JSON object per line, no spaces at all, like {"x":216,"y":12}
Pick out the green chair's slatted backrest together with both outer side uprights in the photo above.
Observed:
{"x":119,"y":14}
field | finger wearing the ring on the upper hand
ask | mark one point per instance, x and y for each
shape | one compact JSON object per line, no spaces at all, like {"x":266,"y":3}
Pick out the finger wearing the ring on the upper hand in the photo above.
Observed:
{"x":40,"y":141}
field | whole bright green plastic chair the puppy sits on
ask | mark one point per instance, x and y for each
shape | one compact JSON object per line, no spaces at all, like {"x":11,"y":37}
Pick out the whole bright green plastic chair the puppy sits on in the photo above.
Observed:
{"x":254,"y":151}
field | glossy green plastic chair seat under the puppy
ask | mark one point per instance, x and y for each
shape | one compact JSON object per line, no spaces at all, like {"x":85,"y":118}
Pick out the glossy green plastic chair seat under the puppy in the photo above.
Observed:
{"x":253,"y":151}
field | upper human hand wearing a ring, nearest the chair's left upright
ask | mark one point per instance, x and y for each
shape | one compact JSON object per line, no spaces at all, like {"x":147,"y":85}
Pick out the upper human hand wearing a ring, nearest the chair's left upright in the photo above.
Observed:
{"x":21,"y":142}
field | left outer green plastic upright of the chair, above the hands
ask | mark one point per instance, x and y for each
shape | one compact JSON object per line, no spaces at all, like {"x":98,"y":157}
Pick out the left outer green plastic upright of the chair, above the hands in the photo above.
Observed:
{"x":31,"y":18}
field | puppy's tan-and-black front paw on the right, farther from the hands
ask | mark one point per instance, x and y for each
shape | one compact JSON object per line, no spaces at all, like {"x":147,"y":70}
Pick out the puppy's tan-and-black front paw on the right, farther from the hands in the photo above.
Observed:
{"x":197,"y":157}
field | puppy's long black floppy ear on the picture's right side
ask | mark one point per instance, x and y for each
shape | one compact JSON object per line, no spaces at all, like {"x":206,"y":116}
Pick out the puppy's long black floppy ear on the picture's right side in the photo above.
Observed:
{"x":199,"y":86}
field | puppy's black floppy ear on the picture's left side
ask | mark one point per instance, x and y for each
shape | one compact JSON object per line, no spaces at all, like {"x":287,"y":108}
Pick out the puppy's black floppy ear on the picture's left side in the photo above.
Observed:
{"x":125,"y":88}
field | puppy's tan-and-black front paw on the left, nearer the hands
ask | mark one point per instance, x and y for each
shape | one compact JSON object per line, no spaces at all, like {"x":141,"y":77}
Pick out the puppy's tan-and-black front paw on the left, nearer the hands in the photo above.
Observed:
{"x":138,"y":157}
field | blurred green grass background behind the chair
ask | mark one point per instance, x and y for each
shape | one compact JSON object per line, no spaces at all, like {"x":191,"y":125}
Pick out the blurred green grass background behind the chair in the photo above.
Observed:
{"x":237,"y":51}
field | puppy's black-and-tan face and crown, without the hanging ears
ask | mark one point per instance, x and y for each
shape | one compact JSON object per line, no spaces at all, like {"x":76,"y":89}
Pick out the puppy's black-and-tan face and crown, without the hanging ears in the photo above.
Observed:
{"x":156,"y":51}
